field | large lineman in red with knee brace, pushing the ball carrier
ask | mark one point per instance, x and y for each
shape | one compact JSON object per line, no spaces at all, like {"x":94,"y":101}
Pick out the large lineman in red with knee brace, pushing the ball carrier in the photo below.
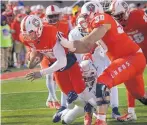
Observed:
{"x":124,"y":66}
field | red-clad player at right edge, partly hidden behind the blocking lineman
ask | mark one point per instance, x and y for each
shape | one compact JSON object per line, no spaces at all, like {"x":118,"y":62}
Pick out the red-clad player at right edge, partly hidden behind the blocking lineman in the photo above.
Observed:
{"x":134,"y":23}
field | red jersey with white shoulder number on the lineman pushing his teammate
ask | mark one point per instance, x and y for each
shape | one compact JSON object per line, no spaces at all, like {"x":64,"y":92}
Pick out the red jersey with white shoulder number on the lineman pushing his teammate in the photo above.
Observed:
{"x":115,"y":42}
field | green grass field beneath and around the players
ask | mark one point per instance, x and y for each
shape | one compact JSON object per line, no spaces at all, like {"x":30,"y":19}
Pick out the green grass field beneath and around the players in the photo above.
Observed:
{"x":23,"y":103}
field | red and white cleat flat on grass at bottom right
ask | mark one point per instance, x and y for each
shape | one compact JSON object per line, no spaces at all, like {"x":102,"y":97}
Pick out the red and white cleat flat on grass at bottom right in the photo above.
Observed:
{"x":127,"y":117}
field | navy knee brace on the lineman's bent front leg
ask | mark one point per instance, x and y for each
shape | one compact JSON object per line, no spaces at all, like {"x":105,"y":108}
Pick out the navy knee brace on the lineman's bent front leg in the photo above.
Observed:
{"x":102,"y":93}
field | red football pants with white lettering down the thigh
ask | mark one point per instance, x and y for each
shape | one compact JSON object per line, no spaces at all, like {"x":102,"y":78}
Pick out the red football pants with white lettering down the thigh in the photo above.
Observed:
{"x":127,"y":69}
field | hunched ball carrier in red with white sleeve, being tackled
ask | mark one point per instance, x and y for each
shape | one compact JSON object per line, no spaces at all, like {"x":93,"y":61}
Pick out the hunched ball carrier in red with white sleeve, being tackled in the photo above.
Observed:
{"x":42,"y":38}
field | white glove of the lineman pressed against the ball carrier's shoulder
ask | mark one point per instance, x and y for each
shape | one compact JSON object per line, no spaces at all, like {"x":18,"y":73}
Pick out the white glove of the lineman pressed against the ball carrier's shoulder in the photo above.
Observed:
{"x":64,"y":42}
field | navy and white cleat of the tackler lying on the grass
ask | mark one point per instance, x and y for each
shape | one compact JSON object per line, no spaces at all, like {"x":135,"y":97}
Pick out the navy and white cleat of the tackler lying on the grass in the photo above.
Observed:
{"x":57,"y":116}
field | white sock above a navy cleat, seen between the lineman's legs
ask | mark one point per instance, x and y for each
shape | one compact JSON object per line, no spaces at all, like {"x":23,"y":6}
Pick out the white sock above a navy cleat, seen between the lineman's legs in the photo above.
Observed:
{"x":114,"y":97}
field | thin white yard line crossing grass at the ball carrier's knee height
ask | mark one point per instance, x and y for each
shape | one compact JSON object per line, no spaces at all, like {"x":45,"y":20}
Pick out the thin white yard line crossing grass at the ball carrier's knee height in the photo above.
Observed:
{"x":43,"y":91}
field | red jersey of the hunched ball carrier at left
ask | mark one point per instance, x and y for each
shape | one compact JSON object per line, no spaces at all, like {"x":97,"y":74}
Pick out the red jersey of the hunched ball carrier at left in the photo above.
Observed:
{"x":45,"y":43}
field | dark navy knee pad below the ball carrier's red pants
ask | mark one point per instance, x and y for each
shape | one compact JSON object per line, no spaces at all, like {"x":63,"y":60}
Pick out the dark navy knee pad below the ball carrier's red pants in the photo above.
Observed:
{"x":71,"y":96}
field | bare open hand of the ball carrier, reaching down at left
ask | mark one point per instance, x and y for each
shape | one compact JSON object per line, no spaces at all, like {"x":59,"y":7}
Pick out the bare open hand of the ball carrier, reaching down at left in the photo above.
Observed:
{"x":33,"y":76}
